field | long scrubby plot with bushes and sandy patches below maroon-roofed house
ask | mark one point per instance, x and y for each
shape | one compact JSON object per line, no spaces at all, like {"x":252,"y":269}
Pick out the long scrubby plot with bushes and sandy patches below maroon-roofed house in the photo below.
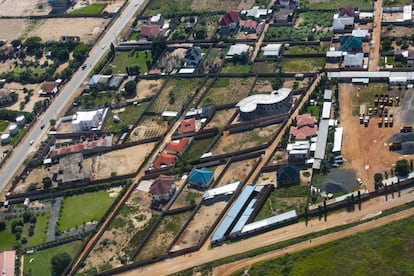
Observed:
{"x":123,"y":234}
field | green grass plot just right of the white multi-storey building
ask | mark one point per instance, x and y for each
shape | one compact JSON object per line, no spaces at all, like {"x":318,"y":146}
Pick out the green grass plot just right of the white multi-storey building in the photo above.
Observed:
{"x":128,"y":117}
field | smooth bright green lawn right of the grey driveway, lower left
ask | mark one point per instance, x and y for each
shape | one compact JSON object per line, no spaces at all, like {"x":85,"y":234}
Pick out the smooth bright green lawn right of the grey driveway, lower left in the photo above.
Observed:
{"x":79,"y":209}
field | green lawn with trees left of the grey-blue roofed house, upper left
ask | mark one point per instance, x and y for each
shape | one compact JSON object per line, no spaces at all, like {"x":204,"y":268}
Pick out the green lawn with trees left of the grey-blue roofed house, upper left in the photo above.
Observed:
{"x":130,"y":59}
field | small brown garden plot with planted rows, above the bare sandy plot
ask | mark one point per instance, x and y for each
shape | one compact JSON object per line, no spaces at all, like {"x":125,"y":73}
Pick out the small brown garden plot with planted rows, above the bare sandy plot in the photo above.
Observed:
{"x":149,"y":127}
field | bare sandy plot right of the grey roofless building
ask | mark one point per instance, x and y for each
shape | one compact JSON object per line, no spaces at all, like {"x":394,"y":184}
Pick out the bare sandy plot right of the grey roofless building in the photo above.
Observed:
{"x":120,"y":162}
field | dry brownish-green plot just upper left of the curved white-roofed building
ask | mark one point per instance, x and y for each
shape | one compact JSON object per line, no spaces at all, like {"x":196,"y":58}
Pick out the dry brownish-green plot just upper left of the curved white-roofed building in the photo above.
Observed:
{"x":228,"y":90}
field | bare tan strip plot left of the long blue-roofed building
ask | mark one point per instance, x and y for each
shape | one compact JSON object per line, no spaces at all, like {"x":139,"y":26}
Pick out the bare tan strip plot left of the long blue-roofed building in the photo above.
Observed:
{"x":199,"y":226}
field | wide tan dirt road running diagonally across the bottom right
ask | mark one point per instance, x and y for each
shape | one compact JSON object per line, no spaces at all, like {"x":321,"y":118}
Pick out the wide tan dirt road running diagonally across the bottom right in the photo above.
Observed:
{"x":369,"y":209}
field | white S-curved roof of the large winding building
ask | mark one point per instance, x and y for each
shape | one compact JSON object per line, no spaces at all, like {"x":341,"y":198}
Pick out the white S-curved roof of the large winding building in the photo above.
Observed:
{"x":250,"y":103}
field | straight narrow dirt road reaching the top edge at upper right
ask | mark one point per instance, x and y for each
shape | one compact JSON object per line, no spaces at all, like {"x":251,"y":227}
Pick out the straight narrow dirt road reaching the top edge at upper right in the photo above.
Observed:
{"x":374,"y":55}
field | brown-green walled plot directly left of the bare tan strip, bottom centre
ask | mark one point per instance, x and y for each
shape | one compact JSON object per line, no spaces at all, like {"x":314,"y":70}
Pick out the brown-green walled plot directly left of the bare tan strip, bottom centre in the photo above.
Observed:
{"x":162,"y":236}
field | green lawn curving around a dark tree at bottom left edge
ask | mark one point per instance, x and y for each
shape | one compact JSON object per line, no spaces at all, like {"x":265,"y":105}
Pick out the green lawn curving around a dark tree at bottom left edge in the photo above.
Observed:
{"x":40,"y":260}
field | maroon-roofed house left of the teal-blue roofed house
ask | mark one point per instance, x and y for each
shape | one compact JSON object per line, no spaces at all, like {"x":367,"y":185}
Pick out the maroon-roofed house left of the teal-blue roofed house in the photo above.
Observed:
{"x":163,"y":188}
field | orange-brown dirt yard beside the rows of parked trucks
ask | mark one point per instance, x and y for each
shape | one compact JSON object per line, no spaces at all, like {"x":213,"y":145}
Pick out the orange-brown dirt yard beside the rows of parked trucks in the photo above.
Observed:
{"x":365,"y":148}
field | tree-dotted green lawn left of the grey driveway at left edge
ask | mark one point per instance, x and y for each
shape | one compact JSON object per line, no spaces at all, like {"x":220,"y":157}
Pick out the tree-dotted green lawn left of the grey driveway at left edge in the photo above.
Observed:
{"x":7,"y":238}
